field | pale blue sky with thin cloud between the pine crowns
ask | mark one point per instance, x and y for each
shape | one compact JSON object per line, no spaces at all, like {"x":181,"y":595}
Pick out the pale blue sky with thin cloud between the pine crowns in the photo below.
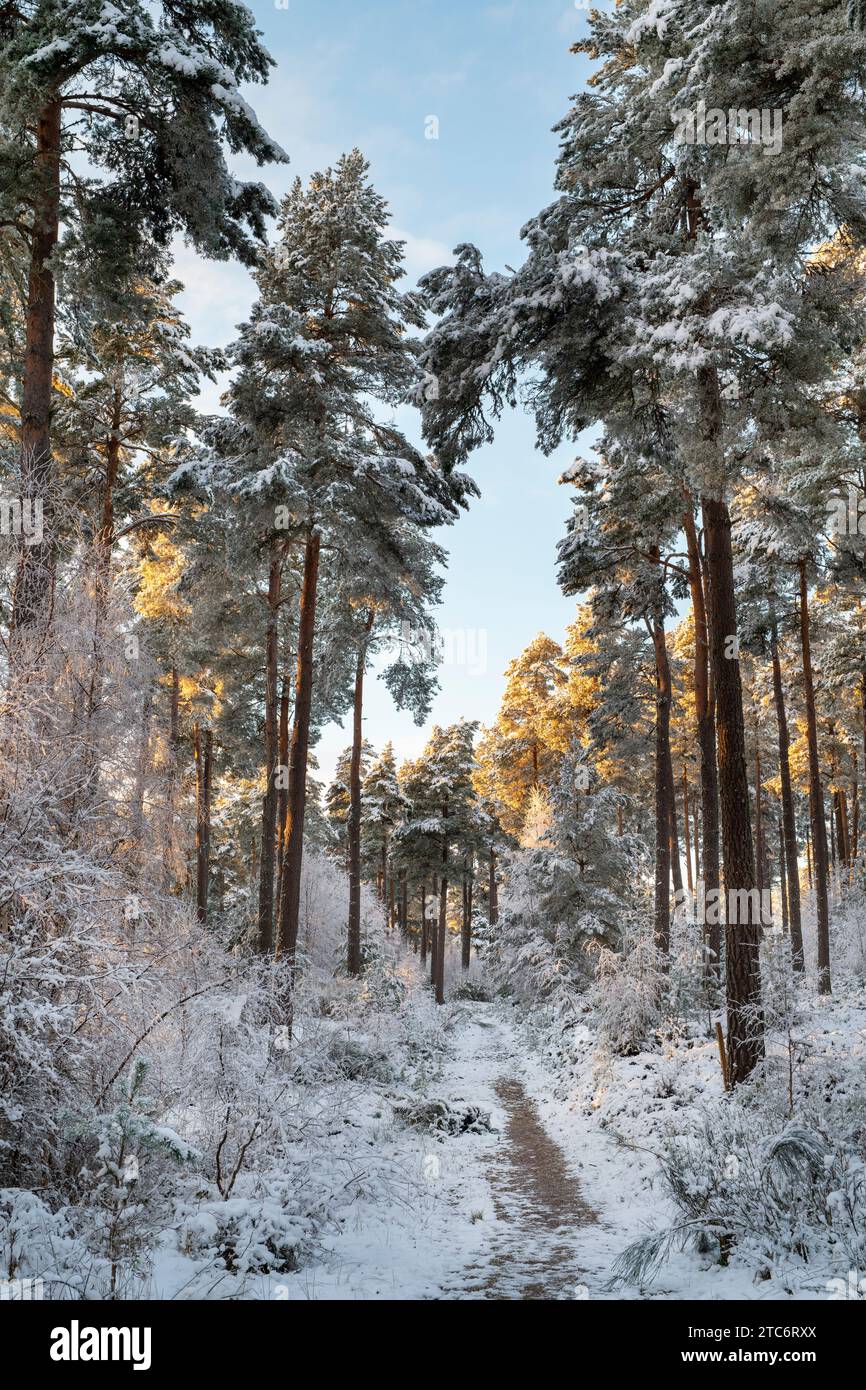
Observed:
{"x":497,"y":77}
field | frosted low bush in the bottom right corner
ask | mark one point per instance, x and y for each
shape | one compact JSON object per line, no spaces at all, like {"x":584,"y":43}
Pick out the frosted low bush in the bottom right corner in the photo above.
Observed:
{"x":783,"y":1193}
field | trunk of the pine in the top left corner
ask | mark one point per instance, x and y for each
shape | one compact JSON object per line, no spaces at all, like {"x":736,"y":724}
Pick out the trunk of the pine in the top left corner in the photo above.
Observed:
{"x":35,"y":572}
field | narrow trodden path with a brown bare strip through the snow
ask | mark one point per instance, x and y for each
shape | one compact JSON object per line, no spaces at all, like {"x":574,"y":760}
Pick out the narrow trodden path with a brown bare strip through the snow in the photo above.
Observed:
{"x":534,"y":1252}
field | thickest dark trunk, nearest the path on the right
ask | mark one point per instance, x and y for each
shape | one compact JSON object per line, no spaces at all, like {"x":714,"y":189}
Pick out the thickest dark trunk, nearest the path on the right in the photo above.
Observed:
{"x":742,"y":939}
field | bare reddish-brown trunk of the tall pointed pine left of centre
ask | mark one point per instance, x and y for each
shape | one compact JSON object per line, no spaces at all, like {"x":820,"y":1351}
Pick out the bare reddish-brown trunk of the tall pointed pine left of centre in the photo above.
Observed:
{"x":290,"y":896}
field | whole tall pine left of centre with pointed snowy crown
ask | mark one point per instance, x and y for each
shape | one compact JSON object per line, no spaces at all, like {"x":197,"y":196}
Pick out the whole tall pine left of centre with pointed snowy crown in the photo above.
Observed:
{"x":327,"y":344}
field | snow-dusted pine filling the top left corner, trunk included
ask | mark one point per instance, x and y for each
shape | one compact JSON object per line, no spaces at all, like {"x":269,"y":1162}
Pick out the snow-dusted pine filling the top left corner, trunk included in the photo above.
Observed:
{"x":147,"y":98}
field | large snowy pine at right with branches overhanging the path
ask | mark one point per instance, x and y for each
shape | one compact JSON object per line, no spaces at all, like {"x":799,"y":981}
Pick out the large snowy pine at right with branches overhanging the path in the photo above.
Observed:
{"x":661,"y":286}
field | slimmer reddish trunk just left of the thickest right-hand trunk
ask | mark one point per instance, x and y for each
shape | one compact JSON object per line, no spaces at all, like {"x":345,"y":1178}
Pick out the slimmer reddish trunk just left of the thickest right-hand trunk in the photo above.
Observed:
{"x":705,"y":714}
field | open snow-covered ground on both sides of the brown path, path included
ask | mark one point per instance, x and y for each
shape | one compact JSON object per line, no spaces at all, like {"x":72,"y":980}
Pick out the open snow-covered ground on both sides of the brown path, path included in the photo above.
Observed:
{"x":543,"y":1206}
